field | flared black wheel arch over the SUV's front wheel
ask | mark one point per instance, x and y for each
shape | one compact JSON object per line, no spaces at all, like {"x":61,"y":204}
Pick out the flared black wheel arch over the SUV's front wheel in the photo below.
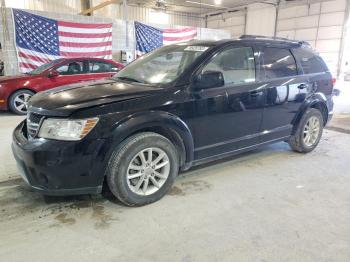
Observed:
{"x":163,"y":123}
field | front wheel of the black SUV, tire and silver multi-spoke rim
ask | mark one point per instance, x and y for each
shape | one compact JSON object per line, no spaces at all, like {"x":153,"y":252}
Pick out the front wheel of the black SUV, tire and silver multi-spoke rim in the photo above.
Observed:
{"x":130,"y":191}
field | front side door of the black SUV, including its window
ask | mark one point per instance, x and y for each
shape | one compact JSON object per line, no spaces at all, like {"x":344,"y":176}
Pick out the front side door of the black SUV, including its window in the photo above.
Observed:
{"x":228,"y":118}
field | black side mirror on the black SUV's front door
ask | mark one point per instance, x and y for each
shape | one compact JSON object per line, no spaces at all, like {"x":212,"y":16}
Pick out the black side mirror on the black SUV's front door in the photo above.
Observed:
{"x":208,"y":79}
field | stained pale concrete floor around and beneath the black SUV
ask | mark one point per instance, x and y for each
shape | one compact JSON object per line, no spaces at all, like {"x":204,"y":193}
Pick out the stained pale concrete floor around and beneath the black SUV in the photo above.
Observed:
{"x":267,"y":205}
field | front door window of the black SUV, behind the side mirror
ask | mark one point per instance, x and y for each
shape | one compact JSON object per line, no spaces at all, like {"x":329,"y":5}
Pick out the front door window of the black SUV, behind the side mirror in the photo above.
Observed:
{"x":236,"y":64}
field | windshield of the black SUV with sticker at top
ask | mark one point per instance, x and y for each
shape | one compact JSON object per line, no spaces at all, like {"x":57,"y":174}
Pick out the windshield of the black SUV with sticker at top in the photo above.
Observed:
{"x":161,"y":66}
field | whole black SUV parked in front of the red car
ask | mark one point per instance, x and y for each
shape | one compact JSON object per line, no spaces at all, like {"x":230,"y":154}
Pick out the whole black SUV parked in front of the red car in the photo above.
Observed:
{"x":174,"y":108}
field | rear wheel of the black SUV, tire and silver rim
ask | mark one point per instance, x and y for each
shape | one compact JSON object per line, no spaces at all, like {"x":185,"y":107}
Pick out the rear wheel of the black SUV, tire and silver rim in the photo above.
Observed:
{"x":298,"y":141}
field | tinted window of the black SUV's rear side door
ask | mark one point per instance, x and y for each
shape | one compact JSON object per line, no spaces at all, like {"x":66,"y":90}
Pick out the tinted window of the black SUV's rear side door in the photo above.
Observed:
{"x":278,"y":63}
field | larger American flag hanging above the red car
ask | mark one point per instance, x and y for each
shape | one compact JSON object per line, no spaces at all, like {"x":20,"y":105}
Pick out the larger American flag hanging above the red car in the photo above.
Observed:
{"x":40,"y":40}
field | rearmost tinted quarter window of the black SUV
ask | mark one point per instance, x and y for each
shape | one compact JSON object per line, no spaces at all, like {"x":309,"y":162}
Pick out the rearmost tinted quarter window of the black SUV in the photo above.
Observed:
{"x":310,"y":62}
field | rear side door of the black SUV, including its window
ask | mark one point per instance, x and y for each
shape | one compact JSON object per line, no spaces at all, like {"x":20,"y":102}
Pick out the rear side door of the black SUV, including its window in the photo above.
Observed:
{"x":285,"y":89}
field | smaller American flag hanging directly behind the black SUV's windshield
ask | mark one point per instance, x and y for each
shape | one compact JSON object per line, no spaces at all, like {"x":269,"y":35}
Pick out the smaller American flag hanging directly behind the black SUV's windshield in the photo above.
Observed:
{"x":149,"y":38}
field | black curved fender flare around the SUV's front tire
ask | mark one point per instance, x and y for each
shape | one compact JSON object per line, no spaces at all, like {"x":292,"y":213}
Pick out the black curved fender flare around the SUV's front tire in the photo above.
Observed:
{"x":143,"y":120}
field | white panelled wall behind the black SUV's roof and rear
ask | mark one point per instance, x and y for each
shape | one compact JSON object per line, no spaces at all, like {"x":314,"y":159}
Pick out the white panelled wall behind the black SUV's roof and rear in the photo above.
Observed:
{"x":321,"y":24}
